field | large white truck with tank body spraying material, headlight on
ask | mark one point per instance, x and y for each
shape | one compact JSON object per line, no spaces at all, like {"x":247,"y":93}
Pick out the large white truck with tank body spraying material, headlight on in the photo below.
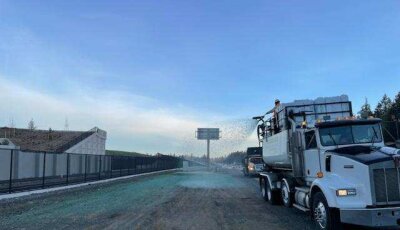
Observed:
{"x":320,"y":159}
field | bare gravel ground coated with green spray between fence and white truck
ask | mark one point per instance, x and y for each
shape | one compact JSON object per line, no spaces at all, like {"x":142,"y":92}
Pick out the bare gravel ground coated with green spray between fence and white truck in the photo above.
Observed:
{"x":181,"y":200}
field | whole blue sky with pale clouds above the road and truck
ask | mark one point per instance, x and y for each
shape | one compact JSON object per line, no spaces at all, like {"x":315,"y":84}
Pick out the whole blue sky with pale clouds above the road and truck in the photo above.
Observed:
{"x":187,"y":63}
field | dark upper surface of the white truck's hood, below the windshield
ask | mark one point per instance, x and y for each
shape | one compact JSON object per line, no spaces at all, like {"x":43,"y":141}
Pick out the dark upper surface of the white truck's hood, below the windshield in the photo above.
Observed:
{"x":366,"y":154}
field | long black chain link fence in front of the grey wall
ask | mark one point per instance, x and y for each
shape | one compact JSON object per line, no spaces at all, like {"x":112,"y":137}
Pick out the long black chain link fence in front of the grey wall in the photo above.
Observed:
{"x":21,"y":171}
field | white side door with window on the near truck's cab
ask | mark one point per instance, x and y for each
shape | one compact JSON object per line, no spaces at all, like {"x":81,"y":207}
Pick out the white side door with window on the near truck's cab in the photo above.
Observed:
{"x":311,"y":155}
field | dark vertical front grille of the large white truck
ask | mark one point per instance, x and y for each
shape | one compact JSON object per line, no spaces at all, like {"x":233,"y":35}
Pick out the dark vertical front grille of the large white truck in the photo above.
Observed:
{"x":386,"y":185}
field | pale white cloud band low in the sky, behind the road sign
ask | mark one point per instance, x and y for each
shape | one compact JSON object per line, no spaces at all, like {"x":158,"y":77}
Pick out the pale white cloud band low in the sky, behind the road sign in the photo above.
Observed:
{"x":133,"y":122}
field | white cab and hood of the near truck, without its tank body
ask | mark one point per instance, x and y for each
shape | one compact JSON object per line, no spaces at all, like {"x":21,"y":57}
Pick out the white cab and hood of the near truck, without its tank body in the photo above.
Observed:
{"x":348,"y":162}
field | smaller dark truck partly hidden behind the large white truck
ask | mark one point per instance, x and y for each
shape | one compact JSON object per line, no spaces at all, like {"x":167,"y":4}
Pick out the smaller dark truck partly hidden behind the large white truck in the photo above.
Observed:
{"x":253,"y":163}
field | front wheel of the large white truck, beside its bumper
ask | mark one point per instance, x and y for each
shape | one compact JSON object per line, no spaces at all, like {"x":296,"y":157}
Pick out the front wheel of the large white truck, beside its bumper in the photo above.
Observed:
{"x":325,"y":217}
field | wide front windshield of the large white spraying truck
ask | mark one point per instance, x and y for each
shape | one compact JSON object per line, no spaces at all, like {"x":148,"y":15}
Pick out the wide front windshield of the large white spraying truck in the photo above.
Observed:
{"x":354,"y":134}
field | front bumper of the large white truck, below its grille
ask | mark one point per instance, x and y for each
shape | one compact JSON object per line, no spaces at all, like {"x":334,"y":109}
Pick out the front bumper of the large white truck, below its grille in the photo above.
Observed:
{"x":374,"y":217}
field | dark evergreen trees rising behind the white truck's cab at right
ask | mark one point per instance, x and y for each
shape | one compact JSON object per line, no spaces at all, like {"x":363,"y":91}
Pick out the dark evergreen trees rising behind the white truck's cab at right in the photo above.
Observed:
{"x":386,"y":109}
